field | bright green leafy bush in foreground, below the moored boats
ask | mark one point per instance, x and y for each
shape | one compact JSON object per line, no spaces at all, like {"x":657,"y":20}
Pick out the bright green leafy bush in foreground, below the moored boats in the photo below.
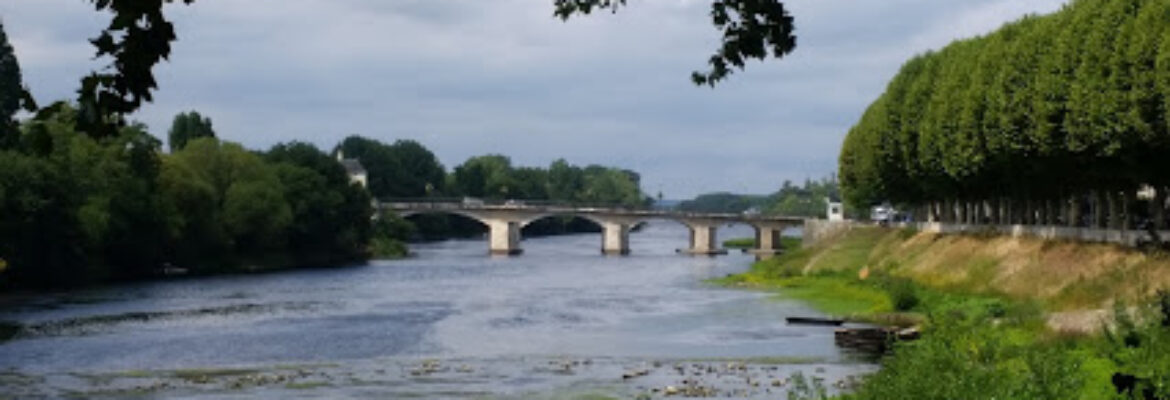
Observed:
{"x":973,"y":358}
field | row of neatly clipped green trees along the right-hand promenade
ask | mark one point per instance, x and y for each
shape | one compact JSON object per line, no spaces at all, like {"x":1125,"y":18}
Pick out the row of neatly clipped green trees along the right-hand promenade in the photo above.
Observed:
{"x":1056,"y":120}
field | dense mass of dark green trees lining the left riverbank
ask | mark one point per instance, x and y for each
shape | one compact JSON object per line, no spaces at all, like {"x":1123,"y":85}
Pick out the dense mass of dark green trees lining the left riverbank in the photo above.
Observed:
{"x":80,"y":210}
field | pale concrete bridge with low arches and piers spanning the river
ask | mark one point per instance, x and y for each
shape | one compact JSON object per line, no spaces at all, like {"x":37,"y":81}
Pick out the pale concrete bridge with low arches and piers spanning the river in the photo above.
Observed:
{"x":506,"y":220}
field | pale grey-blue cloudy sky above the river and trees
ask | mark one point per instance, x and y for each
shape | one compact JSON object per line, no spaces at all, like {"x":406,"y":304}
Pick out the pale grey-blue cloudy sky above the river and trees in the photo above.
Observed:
{"x":469,"y":78}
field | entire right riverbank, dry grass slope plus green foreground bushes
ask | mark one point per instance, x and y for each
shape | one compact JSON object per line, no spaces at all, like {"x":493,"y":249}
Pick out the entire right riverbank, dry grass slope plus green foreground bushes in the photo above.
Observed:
{"x":986,"y":307}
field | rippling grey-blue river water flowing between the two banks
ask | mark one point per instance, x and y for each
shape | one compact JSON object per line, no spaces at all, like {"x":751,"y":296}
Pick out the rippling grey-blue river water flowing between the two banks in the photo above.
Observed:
{"x":561,"y":321}
